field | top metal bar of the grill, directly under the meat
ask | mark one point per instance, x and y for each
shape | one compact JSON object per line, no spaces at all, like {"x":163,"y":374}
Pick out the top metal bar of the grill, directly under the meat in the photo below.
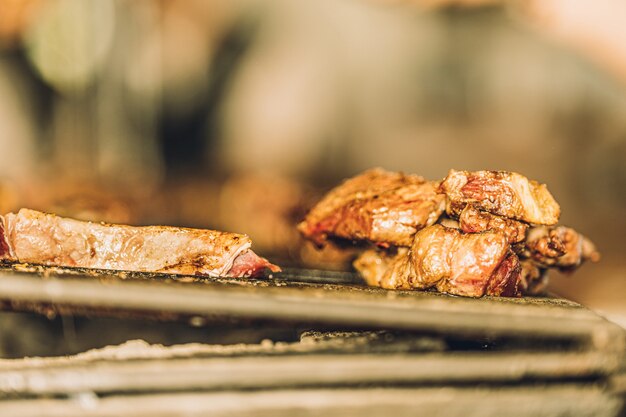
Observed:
{"x":276,"y":299}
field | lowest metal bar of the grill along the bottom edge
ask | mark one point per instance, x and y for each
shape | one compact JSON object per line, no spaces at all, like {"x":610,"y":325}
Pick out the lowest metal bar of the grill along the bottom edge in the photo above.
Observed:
{"x":529,"y":401}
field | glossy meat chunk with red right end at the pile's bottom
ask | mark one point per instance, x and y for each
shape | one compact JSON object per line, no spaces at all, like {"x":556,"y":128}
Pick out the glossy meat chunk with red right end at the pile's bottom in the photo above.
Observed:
{"x":454,"y":262}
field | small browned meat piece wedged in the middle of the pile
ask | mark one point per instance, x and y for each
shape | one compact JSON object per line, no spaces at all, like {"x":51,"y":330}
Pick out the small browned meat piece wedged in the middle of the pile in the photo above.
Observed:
{"x":473,"y":220}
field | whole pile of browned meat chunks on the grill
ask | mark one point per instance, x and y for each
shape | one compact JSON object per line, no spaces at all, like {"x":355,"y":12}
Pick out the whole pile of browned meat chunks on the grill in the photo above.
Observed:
{"x":472,"y":234}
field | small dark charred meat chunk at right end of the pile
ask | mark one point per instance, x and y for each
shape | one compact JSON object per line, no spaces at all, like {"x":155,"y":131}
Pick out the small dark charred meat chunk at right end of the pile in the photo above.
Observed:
{"x":560,"y":247}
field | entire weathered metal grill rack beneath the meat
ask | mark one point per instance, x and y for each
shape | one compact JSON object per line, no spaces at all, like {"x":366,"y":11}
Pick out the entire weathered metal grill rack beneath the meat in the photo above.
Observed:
{"x":565,"y":360}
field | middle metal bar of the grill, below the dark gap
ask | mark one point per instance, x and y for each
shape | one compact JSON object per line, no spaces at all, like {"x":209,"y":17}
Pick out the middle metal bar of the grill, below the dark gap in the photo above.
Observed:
{"x":295,"y":366}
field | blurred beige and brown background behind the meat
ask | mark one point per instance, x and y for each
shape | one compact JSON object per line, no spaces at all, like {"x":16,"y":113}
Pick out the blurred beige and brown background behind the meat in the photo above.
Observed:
{"x":239,"y":114}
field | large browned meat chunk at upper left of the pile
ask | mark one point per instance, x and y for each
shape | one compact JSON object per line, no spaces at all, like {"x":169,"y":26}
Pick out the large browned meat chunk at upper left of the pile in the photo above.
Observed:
{"x":386,"y":208}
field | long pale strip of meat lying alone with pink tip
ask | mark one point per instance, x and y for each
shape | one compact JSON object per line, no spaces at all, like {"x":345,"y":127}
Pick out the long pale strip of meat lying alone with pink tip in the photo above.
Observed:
{"x":40,"y":238}
